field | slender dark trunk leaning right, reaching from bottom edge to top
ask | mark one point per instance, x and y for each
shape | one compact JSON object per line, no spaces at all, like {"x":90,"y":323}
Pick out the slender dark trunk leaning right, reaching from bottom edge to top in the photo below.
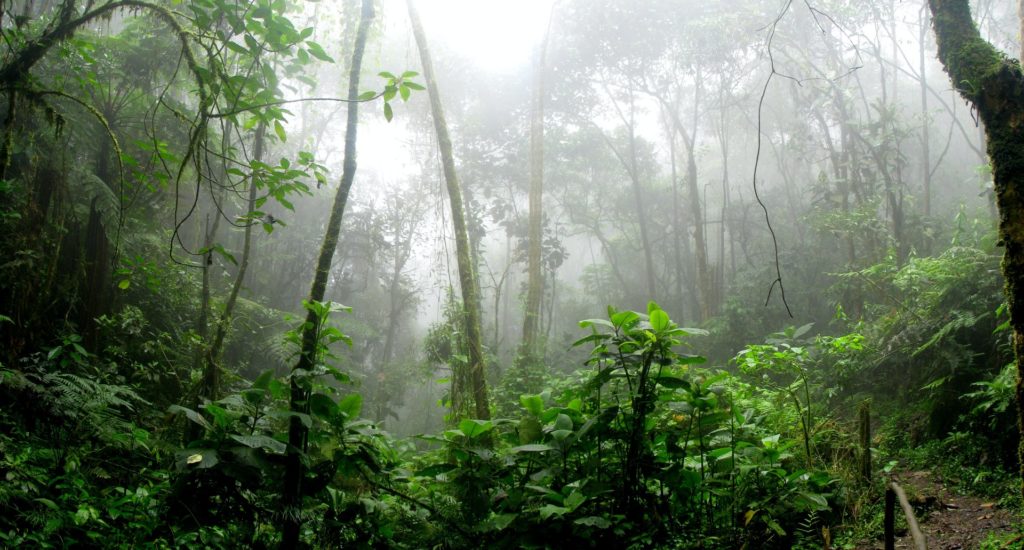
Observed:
{"x":298,"y":403}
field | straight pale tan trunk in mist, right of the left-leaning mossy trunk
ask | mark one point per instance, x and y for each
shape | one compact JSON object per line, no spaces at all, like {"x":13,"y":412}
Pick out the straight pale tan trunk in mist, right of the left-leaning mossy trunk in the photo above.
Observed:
{"x":535,"y":285}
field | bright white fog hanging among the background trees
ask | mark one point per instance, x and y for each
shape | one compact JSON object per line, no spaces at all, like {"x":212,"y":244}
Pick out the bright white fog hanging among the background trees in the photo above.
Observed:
{"x":858,"y":157}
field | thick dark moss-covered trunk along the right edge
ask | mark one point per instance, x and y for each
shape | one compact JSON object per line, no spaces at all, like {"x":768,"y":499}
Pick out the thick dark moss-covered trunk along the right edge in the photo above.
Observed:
{"x":994,"y":83}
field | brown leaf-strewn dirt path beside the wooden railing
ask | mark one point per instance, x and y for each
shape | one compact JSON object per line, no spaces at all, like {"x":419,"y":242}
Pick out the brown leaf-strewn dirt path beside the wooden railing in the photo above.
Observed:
{"x":949,"y":520}
